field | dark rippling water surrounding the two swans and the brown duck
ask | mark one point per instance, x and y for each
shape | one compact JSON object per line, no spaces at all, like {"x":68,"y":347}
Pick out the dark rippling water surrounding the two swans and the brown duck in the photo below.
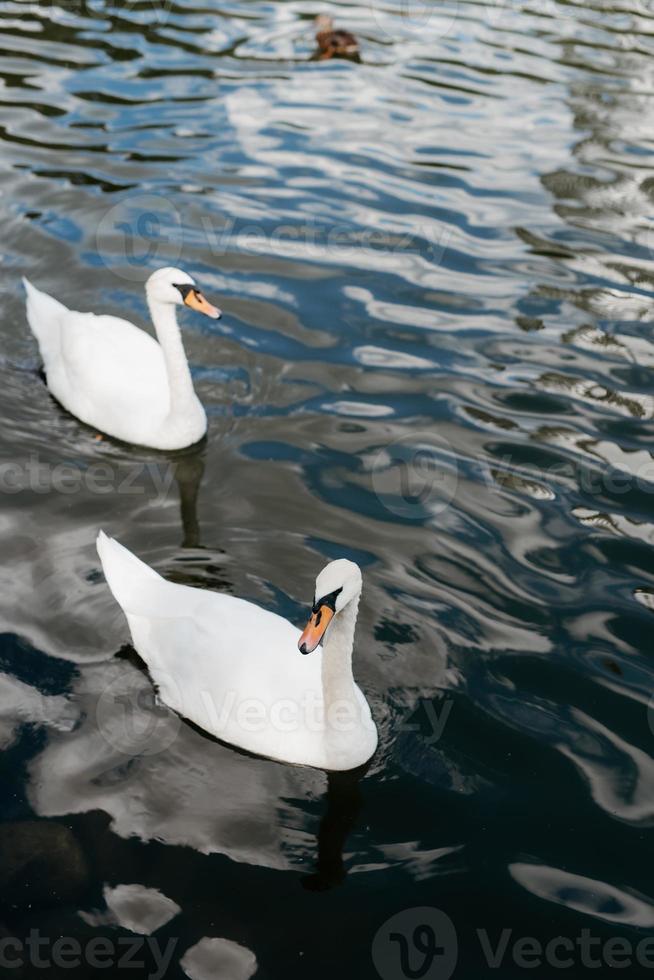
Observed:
{"x":436,"y":273}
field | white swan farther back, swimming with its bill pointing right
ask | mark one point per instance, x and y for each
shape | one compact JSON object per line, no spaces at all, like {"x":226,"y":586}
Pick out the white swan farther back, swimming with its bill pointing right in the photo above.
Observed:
{"x":117,"y":378}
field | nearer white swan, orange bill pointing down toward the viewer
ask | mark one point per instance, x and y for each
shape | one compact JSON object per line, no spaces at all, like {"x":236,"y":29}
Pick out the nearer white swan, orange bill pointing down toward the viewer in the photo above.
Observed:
{"x":234,"y":668}
